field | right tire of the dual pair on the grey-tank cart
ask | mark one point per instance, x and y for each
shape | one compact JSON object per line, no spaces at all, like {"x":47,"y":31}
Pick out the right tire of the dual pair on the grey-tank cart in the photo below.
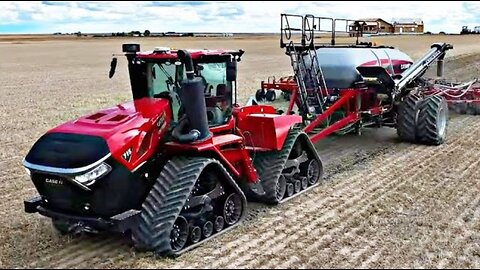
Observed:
{"x":433,"y":120}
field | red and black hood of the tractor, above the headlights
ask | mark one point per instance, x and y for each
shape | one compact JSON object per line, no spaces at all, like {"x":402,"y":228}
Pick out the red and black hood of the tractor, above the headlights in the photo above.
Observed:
{"x":128,"y":132}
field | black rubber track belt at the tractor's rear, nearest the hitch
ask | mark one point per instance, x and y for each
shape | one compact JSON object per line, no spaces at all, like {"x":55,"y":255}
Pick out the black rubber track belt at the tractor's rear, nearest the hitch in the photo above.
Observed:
{"x":270,"y":165}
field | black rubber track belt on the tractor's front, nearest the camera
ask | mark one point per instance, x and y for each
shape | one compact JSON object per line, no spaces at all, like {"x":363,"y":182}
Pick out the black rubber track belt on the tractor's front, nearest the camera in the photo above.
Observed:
{"x":166,"y":200}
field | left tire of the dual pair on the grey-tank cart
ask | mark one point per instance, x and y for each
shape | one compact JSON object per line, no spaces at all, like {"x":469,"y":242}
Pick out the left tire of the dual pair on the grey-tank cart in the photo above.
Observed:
{"x":407,"y":118}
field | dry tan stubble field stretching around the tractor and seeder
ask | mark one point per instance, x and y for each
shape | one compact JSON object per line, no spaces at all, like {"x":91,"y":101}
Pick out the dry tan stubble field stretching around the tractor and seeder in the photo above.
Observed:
{"x":382,"y":204}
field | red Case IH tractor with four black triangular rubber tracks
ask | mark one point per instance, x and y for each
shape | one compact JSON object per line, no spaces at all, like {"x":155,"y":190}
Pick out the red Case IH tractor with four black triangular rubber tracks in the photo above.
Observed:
{"x":175,"y":166}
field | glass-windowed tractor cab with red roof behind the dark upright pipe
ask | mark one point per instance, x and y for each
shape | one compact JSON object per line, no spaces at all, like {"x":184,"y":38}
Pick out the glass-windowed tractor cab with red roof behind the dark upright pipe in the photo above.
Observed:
{"x":160,"y":73}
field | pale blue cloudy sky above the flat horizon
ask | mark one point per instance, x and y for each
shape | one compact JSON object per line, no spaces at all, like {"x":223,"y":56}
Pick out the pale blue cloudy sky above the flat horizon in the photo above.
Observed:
{"x":221,"y":16}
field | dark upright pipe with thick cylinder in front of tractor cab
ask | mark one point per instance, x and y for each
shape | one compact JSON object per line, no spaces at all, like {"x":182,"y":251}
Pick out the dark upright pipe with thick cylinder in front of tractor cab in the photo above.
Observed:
{"x":193,"y":101}
